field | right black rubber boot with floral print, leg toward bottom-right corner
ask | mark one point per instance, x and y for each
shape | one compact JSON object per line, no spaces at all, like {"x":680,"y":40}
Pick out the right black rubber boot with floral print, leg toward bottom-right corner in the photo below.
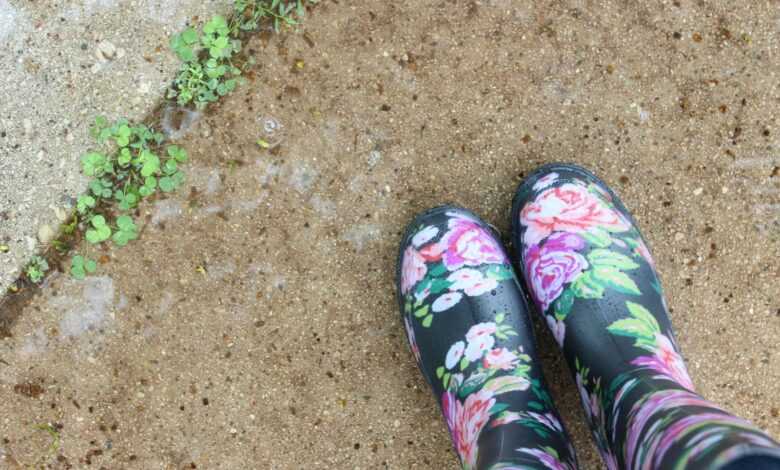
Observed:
{"x":592,"y":278}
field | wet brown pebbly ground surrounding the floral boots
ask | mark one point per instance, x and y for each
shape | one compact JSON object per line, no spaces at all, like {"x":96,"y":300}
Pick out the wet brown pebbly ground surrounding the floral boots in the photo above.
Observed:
{"x":254,"y":323}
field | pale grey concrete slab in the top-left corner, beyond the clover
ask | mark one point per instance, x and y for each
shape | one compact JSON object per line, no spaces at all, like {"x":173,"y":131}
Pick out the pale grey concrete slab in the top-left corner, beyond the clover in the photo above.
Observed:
{"x":63,"y":63}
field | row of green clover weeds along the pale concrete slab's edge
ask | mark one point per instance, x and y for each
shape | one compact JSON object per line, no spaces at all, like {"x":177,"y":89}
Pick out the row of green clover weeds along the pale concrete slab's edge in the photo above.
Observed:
{"x":132,"y":166}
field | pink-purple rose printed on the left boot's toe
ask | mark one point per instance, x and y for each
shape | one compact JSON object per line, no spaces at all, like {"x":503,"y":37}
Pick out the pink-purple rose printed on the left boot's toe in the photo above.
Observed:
{"x":468,"y":244}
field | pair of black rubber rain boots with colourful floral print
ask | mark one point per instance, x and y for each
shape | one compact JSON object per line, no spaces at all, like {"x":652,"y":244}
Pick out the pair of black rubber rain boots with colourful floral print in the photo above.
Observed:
{"x":589,"y":274}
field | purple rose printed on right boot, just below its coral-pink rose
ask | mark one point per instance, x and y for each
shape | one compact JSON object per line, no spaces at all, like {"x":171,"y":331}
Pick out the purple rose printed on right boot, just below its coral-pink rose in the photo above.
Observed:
{"x":553,"y":265}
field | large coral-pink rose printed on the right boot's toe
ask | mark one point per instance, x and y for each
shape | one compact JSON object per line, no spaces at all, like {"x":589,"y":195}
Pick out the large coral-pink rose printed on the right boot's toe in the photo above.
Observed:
{"x":567,"y":208}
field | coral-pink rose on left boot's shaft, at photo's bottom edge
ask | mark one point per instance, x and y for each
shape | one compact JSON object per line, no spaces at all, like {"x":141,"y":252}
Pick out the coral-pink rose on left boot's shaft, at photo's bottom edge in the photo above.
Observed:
{"x":466,"y":421}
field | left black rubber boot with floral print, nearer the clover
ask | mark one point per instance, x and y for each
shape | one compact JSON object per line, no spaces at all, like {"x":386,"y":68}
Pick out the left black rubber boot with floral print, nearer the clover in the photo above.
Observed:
{"x":468,"y":327}
